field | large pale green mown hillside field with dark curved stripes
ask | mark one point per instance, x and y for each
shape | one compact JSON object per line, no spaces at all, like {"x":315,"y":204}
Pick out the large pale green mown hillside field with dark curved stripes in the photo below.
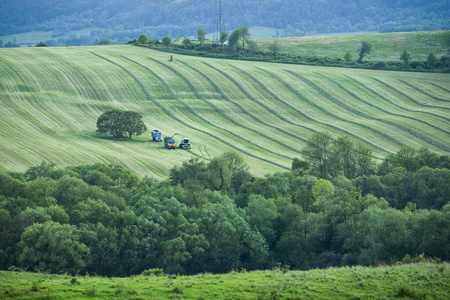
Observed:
{"x":50,"y":99}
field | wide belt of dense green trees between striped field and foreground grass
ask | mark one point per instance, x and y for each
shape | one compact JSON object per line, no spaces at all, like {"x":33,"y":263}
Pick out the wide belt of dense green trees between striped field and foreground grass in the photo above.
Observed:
{"x":334,"y":208}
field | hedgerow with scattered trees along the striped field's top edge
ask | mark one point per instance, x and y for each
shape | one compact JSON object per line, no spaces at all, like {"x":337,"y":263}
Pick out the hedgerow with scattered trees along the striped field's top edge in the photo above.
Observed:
{"x":239,"y":45}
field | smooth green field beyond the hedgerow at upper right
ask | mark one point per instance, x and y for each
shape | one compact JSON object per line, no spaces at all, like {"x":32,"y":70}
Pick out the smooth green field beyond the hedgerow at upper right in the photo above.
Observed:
{"x":385,"y":46}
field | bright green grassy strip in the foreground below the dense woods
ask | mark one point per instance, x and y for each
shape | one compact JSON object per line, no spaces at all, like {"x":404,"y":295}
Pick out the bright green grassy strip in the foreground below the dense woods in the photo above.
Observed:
{"x":411,"y":281}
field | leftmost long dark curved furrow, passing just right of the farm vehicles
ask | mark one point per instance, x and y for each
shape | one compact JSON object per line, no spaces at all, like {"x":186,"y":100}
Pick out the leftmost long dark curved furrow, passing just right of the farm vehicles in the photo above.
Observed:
{"x":169,"y":113}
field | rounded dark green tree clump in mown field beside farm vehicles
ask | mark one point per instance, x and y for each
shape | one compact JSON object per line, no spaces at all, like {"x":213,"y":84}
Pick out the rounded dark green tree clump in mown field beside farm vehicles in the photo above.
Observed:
{"x":121,"y":123}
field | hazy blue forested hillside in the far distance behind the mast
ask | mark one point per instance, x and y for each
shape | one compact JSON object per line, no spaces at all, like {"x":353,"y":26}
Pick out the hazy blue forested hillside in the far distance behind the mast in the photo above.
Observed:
{"x":121,"y":19}
